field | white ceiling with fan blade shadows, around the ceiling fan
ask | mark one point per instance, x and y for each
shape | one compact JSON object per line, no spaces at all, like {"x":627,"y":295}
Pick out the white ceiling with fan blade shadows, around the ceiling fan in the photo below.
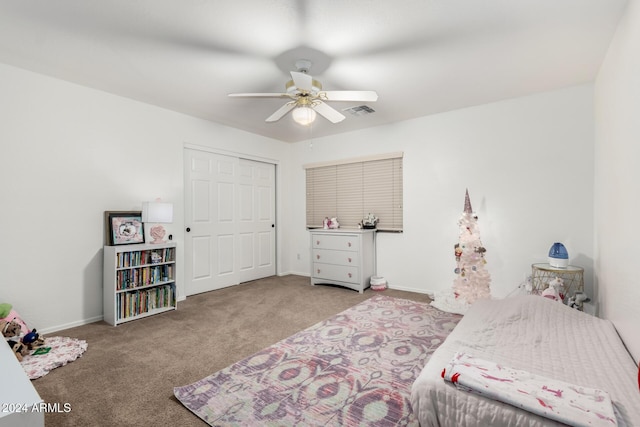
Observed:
{"x":421,"y":56}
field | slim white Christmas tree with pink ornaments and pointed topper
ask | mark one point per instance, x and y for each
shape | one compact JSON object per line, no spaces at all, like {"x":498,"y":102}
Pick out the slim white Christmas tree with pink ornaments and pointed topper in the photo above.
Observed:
{"x":472,"y":279}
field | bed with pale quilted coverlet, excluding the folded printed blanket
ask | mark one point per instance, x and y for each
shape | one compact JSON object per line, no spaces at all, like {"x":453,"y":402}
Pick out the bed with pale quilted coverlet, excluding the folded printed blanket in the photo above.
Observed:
{"x":536,"y":335}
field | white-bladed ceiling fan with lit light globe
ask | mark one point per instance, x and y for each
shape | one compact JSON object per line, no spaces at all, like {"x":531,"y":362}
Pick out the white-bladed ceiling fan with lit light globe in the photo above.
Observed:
{"x":307,"y":97}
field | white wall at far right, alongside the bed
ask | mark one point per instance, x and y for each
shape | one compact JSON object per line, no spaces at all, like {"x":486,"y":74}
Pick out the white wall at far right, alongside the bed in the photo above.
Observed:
{"x":617,"y":176}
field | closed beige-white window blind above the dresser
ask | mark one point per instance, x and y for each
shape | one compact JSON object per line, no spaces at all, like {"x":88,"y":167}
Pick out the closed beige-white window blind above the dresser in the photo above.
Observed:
{"x":351,"y":189}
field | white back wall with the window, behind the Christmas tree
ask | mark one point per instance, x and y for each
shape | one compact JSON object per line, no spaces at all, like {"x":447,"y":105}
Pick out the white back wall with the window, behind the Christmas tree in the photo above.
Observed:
{"x":528,"y":165}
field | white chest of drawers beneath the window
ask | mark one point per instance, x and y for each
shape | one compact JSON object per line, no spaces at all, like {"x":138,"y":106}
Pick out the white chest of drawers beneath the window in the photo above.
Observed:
{"x":345,"y":257}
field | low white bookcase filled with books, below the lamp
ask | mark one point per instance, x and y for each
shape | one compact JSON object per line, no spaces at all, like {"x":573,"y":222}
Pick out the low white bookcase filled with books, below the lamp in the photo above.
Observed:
{"x":138,"y":281}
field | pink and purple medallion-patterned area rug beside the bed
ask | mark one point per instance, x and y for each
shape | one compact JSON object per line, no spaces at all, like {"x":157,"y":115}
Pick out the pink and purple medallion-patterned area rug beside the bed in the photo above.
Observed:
{"x":355,"y":368}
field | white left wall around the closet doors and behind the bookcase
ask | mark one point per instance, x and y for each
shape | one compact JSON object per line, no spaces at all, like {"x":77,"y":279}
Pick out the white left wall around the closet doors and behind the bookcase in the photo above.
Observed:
{"x":68,"y":154}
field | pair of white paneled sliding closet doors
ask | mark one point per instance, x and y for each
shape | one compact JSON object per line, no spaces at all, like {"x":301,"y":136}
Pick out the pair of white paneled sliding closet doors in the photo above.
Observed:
{"x":229,"y":220}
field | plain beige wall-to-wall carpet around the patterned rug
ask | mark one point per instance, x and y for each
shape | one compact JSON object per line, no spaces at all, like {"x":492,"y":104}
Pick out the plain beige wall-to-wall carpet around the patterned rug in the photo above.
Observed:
{"x":127,"y":375}
